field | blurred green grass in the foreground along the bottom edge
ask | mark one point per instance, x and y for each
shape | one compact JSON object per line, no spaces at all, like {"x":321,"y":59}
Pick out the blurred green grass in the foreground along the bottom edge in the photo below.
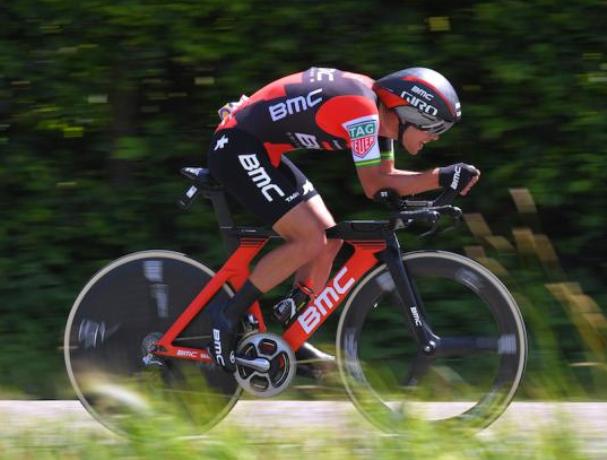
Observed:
{"x":555,"y":437}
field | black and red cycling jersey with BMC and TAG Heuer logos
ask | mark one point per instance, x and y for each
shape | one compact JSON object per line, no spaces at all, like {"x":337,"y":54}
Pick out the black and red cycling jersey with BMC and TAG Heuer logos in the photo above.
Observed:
{"x":319,"y":108}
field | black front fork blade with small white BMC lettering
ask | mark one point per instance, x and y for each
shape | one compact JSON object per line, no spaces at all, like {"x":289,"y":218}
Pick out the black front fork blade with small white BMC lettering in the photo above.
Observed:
{"x":411,"y":303}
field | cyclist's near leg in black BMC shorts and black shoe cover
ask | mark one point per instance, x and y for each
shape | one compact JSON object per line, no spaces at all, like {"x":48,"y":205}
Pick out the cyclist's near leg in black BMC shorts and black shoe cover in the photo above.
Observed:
{"x":272,"y":194}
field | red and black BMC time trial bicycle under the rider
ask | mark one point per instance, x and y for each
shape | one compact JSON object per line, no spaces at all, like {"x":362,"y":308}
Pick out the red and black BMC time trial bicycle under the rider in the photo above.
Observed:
{"x":424,"y":334}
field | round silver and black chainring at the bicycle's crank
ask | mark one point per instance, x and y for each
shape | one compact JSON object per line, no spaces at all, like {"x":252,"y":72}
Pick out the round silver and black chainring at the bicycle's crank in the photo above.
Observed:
{"x":265,"y":364}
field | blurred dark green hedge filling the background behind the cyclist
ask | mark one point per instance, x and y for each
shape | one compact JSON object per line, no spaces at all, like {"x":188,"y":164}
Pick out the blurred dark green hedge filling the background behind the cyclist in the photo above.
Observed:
{"x":102,"y":102}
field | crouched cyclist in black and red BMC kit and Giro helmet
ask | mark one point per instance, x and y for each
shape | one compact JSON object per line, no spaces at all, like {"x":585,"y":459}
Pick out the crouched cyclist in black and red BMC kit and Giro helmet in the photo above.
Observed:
{"x":331,"y":110}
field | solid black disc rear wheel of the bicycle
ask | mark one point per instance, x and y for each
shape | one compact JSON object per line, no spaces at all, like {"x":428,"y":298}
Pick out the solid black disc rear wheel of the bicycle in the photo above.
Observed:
{"x":125,"y":303}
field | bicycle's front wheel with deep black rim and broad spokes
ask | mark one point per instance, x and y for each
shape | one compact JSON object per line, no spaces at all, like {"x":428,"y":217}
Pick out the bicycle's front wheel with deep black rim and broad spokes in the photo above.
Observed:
{"x":373,"y":340}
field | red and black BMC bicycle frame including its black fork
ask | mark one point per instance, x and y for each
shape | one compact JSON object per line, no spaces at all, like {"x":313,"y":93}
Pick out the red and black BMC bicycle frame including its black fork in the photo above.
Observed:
{"x":373,"y":242}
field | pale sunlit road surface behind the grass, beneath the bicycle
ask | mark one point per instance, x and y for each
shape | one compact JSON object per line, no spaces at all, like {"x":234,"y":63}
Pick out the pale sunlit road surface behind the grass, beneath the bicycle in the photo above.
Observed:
{"x":587,"y":420}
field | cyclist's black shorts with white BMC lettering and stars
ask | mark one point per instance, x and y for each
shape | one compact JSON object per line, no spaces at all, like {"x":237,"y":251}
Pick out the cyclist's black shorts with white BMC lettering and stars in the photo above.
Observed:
{"x":241,"y":163}
